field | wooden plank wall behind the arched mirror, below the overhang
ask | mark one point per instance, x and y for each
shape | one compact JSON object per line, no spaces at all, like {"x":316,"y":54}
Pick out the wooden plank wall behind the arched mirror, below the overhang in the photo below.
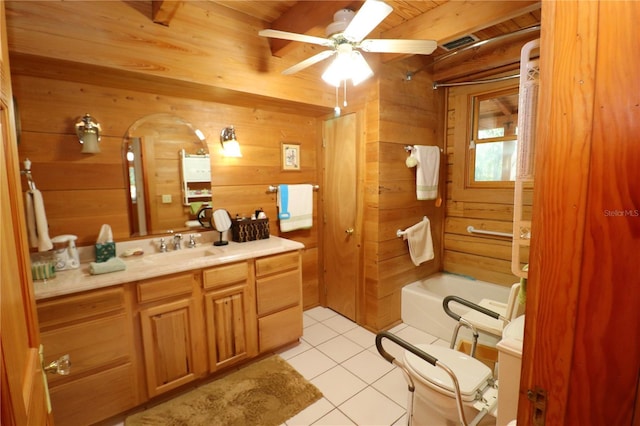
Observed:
{"x":81,"y":192}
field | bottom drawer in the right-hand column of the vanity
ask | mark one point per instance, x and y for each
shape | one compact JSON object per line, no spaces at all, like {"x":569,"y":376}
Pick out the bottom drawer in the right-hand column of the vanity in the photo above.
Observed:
{"x":280,"y":328}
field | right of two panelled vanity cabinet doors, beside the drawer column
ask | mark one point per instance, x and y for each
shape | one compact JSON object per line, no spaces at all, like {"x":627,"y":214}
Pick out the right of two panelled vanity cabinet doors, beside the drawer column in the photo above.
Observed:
{"x":230,"y":319}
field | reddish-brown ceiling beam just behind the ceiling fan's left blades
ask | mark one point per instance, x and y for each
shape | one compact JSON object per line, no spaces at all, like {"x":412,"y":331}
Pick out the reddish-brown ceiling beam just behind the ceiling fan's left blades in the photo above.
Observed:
{"x":305,"y":16}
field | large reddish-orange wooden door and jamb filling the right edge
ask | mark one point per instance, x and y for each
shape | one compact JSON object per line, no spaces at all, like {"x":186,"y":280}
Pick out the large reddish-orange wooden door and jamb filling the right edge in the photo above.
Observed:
{"x":582,"y":332}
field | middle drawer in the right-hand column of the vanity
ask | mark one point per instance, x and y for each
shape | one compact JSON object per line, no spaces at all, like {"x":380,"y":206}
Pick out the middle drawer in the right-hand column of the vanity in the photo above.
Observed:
{"x":278,"y":292}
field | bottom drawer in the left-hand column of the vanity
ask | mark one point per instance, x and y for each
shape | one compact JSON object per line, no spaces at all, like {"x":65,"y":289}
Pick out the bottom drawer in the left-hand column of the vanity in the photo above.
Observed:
{"x":94,"y":398}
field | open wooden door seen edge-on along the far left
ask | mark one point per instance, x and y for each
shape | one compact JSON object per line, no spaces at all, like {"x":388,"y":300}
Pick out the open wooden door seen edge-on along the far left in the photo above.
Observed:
{"x":23,"y":395}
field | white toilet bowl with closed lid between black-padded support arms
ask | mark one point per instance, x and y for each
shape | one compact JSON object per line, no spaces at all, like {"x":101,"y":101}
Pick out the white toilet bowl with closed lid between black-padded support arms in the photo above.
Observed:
{"x":434,"y":400}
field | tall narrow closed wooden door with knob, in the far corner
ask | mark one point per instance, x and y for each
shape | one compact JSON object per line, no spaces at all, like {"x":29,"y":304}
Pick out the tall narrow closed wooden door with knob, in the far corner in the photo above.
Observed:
{"x":340,"y":232}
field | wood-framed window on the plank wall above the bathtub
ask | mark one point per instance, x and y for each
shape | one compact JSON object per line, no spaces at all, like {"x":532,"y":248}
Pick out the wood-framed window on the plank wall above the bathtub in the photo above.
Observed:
{"x":493,"y":145}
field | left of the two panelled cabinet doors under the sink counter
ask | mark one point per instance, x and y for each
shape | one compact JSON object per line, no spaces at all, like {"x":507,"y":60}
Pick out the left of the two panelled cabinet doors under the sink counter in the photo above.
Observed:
{"x":169,"y":341}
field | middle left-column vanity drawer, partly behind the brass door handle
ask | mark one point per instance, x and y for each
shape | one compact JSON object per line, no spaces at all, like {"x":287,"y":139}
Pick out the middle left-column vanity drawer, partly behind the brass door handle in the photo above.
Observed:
{"x":90,"y":345}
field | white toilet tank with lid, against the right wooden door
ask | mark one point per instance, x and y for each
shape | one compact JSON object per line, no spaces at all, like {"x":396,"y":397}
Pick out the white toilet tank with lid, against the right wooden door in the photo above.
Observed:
{"x":510,"y":362}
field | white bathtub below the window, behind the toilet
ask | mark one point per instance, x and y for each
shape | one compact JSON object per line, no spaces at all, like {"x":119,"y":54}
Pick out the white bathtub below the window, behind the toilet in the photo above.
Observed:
{"x":421,"y":305}
